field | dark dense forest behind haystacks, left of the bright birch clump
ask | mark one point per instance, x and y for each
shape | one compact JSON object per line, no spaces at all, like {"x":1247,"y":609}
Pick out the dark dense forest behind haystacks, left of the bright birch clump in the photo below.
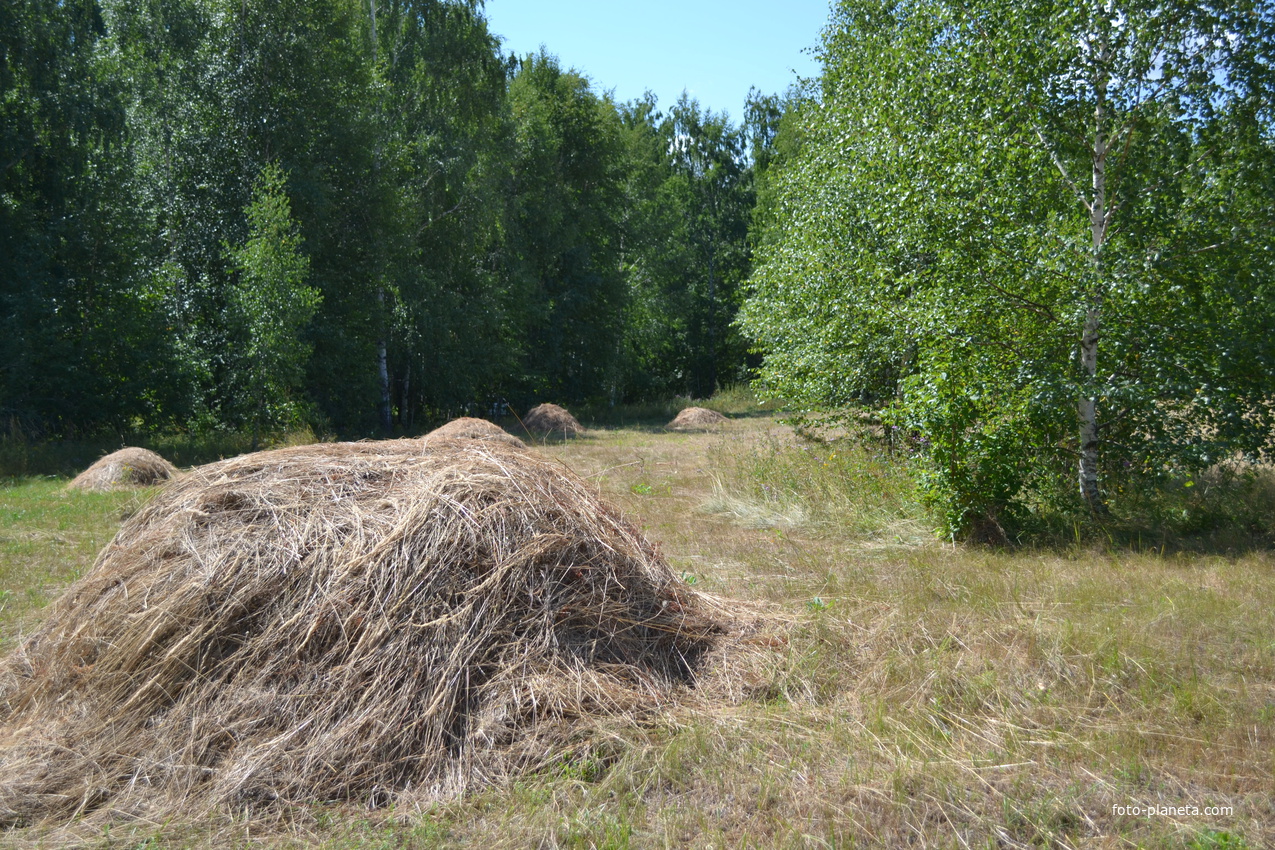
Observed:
{"x":359,"y":215}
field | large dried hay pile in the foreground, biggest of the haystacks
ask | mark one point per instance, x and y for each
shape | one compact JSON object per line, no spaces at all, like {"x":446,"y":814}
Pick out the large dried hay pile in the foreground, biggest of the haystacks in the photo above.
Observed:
{"x":374,"y":623}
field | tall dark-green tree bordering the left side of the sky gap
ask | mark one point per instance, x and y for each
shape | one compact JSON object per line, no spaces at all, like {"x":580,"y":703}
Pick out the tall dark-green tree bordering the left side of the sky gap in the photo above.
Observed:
{"x":444,"y":140}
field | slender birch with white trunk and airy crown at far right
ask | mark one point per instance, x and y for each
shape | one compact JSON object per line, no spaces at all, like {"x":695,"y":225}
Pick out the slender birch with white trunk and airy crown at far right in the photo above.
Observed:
{"x":1123,"y":86}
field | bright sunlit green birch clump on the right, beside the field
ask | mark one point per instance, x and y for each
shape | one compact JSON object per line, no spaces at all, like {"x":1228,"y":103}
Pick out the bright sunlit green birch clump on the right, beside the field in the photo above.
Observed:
{"x":990,"y":216}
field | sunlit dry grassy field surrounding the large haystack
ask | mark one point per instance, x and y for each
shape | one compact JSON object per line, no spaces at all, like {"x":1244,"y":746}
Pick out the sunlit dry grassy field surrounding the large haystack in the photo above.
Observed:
{"x":915,"y":694}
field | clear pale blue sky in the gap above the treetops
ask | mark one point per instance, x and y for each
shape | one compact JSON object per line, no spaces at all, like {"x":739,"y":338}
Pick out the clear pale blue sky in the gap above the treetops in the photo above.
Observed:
{"x":713,"y":49}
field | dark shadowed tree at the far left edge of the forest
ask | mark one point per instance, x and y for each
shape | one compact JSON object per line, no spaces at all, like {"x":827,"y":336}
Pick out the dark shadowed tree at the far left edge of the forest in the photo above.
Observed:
{"x":76,"y":326}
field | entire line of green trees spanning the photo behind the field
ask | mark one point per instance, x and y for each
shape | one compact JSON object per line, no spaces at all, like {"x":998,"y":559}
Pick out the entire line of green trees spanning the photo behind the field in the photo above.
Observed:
{"x":1031,"y":244}
